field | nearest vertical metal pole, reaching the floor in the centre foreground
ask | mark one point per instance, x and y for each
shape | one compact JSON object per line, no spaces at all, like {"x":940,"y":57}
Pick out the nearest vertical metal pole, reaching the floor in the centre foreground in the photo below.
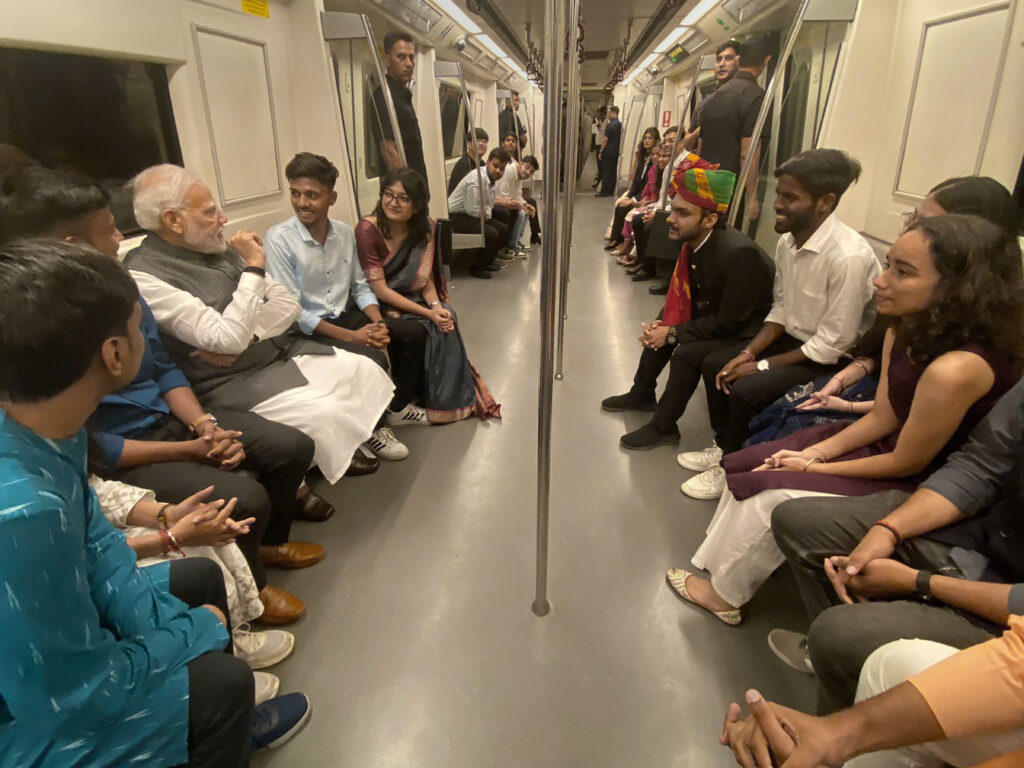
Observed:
{"x":554,"y":39}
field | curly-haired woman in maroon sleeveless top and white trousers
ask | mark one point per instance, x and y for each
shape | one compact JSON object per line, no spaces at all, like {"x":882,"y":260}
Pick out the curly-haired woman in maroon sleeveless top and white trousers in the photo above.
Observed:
{"x":954,"y":290}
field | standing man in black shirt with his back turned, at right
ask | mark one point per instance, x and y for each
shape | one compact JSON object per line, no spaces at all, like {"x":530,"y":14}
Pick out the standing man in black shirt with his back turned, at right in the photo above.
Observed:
{"x":727,"y":119}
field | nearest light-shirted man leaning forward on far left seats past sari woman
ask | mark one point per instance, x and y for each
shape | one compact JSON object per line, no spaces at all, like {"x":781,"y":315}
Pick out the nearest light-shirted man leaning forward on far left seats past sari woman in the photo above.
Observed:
{"x":478,"y":189}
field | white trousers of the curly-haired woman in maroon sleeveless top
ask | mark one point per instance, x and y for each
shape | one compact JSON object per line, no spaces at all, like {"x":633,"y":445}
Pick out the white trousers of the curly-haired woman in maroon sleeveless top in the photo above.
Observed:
{"x":740,"y":550}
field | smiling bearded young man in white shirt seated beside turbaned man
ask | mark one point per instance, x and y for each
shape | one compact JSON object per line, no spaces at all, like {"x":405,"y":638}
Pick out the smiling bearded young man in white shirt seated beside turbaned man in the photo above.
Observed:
{"x":823,"y":305}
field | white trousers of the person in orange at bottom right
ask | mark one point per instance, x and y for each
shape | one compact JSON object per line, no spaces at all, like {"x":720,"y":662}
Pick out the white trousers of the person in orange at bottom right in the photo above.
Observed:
{"x":892,"y":665}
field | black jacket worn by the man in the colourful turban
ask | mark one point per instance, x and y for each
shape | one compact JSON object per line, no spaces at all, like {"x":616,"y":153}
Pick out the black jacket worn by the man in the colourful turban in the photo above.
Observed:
{"x":732,"y":282}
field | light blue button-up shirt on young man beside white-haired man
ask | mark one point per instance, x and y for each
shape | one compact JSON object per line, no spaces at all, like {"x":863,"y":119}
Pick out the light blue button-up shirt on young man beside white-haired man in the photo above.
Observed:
{"x":320,"y":277}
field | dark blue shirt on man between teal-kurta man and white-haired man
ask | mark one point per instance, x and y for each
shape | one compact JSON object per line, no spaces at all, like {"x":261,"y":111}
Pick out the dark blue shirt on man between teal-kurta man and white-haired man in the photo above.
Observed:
{"x":140,"y":407}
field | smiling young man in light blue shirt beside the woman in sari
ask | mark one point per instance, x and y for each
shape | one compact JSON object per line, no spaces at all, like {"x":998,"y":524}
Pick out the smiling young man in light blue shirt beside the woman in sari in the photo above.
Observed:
{"x":315,"y":258}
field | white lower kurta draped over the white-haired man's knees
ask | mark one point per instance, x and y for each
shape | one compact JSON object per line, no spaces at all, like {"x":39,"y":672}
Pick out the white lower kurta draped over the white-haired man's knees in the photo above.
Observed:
{"x":339,"y":408}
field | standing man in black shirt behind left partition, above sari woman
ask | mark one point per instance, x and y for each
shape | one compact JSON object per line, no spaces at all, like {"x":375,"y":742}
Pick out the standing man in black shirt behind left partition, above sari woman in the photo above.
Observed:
{"x":400,"y":61}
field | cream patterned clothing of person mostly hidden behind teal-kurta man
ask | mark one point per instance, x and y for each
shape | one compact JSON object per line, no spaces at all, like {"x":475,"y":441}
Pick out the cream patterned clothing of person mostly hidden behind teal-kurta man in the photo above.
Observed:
{"x":118,"y":499}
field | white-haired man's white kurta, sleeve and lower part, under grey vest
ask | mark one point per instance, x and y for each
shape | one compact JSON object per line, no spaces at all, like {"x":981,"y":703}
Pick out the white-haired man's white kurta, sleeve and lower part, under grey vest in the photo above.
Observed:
{"x":347,"y":394}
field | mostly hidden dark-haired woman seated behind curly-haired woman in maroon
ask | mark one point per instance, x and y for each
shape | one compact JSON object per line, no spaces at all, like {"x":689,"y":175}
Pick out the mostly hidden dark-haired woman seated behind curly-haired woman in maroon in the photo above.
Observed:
{"x":850,"y":394}
